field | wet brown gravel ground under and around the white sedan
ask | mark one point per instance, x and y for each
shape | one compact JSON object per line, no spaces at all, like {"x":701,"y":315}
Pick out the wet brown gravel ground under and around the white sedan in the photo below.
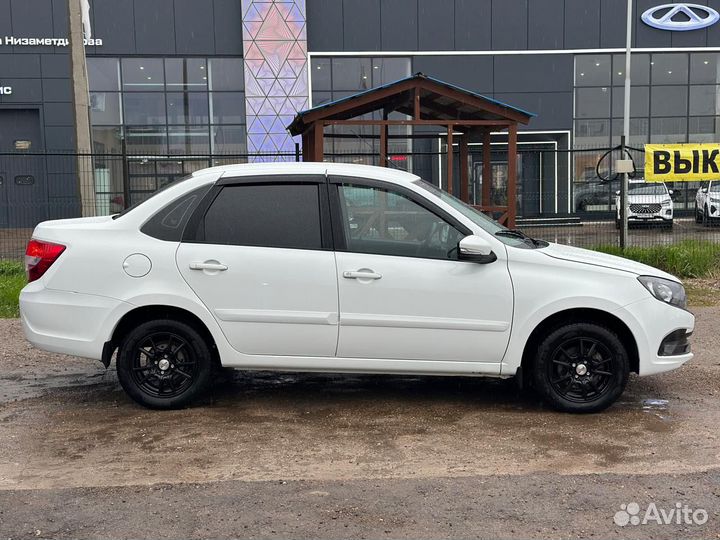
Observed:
{"x":305,"y":455}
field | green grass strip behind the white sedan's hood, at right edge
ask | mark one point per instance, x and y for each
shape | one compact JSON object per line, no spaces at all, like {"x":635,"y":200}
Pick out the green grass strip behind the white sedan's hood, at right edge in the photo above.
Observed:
{"x":686,"y":259}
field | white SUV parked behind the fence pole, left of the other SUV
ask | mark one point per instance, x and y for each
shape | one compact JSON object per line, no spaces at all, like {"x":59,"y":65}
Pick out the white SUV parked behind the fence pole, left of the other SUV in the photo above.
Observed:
{"x":648,"y":202}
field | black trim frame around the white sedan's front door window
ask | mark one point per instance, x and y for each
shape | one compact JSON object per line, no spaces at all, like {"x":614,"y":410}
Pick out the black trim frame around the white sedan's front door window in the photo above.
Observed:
{"x":336,"y":213}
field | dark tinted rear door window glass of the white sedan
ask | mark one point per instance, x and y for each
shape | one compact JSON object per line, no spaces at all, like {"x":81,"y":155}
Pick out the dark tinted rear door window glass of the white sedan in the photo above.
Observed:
{"x":270,"y":215}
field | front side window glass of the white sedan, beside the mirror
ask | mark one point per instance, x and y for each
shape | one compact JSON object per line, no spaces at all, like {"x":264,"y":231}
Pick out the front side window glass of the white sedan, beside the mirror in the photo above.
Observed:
{"x":383,"y":222}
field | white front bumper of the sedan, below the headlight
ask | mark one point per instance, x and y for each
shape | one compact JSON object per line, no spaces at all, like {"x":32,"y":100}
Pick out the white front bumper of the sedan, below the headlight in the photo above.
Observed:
{"x":652,"y":322}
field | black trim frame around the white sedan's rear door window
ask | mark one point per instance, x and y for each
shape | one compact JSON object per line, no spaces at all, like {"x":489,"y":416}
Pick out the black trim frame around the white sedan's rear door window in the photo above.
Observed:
{"x":195,"y":232}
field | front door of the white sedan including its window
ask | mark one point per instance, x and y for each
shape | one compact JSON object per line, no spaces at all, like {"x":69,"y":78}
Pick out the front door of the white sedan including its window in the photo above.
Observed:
{"x":404,"y":295}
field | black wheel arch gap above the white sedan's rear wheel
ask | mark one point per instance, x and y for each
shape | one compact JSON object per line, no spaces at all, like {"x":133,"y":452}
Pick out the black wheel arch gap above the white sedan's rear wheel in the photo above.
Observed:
{"x":146,"y":313}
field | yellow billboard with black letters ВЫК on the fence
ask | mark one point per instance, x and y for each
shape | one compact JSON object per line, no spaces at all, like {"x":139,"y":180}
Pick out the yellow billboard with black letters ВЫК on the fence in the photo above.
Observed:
{"x":682,"y":162}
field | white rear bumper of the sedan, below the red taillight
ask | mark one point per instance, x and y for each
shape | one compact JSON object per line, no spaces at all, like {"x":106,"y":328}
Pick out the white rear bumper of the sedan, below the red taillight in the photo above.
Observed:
{"x":67,"y":322}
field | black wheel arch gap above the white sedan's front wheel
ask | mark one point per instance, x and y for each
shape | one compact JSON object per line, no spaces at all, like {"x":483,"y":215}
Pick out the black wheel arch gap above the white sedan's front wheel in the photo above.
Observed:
{"x":575,"y":315}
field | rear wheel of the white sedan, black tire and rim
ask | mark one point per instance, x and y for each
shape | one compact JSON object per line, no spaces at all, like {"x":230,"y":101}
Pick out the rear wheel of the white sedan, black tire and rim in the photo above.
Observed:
{"x":164,"y":364}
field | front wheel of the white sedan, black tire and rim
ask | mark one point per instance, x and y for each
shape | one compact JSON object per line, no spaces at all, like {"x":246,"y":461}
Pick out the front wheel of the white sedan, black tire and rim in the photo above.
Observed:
{"x":567,"y":387}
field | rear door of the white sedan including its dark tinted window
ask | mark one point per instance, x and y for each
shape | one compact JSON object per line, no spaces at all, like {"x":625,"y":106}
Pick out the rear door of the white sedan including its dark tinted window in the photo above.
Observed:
{"x":258,"y":254}
